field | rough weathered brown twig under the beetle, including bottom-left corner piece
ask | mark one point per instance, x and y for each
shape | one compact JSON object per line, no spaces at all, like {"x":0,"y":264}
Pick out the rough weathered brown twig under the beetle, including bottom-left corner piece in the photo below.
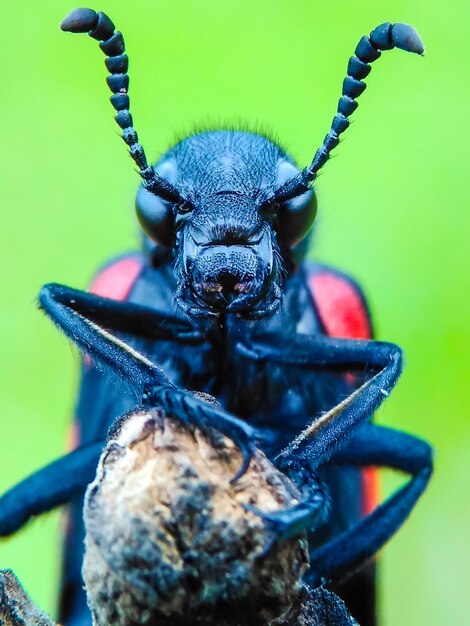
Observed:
{"x":169,"y":541}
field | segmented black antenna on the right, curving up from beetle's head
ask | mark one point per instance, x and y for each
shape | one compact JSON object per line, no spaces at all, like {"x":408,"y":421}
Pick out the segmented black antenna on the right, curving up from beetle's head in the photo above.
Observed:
{"x":385,"y":37}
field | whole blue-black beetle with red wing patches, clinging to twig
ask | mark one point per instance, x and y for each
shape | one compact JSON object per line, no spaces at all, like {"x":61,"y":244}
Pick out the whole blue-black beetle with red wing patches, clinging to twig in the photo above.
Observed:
{"x":221,"y":300}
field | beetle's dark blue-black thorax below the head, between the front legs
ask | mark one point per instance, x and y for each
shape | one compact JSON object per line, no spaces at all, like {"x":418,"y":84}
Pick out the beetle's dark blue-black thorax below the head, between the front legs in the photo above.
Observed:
{"x":276,"y":398}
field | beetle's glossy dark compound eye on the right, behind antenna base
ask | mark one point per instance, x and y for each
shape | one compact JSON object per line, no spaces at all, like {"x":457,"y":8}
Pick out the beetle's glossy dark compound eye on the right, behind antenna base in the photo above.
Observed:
{"x":296,"y":216}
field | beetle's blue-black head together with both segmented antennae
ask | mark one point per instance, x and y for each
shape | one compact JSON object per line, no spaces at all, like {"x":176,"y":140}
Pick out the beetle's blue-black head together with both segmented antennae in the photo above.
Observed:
{"x":230,"y":203}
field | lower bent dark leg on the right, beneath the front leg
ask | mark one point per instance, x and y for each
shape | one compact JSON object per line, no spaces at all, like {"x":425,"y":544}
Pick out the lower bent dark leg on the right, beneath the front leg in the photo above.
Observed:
{"x":379,"y":446}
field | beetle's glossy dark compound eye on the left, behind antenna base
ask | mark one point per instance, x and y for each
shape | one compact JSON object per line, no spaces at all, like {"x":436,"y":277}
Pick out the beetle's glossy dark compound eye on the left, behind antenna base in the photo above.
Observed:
{"x":154,"y":214}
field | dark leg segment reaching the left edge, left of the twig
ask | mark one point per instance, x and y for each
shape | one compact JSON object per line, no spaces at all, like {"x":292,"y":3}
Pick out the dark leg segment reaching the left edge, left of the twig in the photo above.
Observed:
{"x":48,"y":488}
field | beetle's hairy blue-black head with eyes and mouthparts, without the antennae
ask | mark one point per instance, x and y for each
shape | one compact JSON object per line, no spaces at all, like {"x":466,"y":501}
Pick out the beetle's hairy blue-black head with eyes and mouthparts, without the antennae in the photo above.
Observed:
{"x":228,"y":238}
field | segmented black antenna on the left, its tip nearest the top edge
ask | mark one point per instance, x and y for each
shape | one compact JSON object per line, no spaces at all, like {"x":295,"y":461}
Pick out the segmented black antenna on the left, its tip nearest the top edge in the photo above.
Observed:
{"x":99,"y":26}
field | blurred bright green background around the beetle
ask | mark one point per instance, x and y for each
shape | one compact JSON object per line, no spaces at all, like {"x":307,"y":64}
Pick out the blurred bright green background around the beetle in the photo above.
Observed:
{"x":393,"y":211}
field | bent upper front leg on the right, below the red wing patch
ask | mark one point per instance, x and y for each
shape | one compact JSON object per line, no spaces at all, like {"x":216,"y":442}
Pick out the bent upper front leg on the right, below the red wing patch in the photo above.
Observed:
{"x":330,"y":431}
